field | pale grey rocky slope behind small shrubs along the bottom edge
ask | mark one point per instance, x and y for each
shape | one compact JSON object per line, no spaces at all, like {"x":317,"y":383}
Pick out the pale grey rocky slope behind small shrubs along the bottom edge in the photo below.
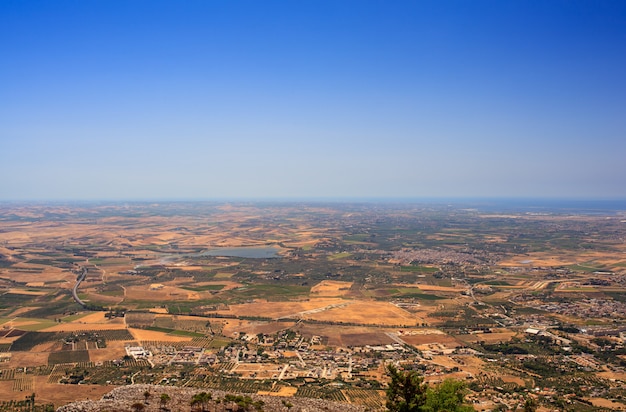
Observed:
{"x":123,"y":399}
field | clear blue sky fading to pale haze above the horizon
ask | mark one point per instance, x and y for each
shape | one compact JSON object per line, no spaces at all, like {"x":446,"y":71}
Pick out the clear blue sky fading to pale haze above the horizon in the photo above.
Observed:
{"x":222,"y":99}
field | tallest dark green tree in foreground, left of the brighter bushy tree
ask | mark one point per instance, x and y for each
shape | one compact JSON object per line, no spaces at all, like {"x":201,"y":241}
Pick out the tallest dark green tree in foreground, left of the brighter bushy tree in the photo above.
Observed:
{"x":406,"y":391}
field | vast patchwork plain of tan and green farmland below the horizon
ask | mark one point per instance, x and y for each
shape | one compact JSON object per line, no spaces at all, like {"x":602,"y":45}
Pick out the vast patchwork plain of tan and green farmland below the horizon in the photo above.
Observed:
{"x":312,"y":300}
